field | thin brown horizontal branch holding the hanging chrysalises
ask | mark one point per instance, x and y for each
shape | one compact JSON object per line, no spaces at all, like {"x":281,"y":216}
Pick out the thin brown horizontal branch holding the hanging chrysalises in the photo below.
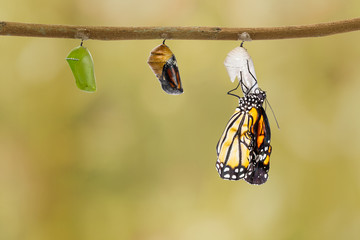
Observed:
{"x":189,"y":33}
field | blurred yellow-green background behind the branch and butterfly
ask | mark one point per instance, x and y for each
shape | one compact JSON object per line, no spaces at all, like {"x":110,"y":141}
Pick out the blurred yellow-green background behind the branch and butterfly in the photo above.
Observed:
{"x":131,"y":162}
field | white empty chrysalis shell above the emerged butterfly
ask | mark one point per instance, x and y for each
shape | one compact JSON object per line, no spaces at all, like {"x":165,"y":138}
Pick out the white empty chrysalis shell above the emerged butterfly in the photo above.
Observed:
{"x":236,"y":63}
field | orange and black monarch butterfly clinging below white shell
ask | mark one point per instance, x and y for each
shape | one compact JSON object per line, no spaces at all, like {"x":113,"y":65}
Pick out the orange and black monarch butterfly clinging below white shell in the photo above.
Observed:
{"x":243,"y":151}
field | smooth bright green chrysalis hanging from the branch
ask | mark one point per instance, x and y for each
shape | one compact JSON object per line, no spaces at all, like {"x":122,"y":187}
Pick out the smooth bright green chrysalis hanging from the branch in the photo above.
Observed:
{"x":82,"y":66}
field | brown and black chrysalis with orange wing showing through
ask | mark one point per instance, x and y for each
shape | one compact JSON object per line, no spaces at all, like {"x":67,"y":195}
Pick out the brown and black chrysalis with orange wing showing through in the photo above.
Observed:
{"x":163,"y":63}
